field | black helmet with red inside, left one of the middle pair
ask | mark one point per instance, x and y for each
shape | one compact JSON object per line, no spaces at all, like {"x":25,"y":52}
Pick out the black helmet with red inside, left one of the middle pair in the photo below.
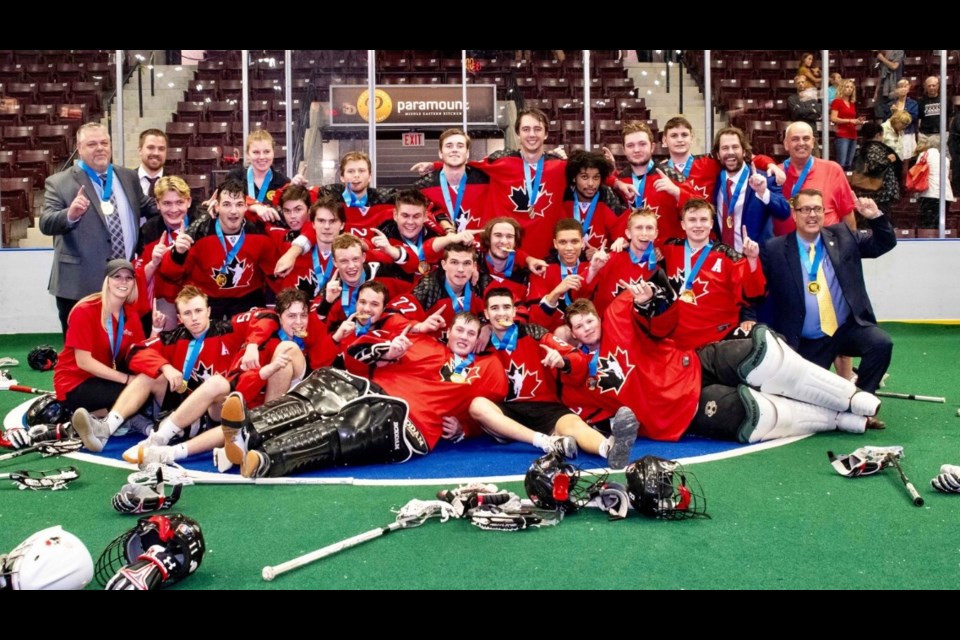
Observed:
{"x":553,"y":483}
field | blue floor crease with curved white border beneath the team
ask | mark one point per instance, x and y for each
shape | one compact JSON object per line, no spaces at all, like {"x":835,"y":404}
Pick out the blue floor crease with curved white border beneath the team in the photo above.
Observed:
{"x":471,"y":460}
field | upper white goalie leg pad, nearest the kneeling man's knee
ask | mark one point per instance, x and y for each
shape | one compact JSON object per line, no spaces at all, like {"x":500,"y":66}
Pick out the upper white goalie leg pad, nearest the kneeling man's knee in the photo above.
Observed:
{"x":773,"y":367}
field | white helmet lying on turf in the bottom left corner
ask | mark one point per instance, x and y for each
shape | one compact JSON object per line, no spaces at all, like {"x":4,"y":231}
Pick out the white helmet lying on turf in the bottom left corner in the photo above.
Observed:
{"x":47,"y":560}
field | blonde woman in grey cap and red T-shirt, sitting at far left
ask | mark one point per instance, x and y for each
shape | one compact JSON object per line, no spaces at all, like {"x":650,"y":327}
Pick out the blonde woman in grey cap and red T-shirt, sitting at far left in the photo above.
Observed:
{"x":91,"y":369}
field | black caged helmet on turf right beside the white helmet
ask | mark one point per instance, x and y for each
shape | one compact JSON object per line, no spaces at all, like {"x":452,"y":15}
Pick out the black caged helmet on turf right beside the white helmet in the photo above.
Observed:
{"x":178,"y":534}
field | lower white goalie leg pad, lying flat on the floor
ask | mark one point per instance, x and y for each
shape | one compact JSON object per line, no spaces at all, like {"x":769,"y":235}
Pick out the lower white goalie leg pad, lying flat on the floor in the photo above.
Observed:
{"x":769,"y":417}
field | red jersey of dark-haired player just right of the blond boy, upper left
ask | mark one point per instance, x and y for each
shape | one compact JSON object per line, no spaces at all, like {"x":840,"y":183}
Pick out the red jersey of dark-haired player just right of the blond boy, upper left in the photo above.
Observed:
{"x":206,"y":264}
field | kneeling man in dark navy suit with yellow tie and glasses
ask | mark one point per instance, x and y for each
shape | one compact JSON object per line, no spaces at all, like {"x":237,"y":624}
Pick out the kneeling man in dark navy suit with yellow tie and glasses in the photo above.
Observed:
{"x":815,"y":283}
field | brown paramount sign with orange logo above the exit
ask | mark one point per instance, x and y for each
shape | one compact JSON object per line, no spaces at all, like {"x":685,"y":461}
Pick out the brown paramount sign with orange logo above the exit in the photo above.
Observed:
{"x":405,"y":106}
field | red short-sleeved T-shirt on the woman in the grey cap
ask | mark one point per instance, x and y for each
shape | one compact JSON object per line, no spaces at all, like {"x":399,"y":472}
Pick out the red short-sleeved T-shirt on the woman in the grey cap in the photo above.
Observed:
{"x":85,"y":331}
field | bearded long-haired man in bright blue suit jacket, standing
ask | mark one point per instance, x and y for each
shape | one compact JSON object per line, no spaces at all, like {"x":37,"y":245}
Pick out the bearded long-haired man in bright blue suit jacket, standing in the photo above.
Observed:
{"x":743,"y":197}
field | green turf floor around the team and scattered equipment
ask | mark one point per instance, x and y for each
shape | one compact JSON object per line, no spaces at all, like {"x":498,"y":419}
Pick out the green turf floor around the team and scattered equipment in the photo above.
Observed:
{"x":781,"y":518}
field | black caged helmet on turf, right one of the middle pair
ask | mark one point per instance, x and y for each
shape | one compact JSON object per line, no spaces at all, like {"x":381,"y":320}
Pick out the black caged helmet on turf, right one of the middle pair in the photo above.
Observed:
{"x":660,"y":488}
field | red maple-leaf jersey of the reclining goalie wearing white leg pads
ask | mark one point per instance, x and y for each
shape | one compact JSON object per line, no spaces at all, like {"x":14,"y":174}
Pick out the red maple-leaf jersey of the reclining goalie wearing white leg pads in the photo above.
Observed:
{"x":638,"y":367}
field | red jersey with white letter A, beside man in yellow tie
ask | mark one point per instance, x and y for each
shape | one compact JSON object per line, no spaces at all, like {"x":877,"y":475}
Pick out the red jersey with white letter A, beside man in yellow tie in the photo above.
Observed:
{"x":723,"y":287}
